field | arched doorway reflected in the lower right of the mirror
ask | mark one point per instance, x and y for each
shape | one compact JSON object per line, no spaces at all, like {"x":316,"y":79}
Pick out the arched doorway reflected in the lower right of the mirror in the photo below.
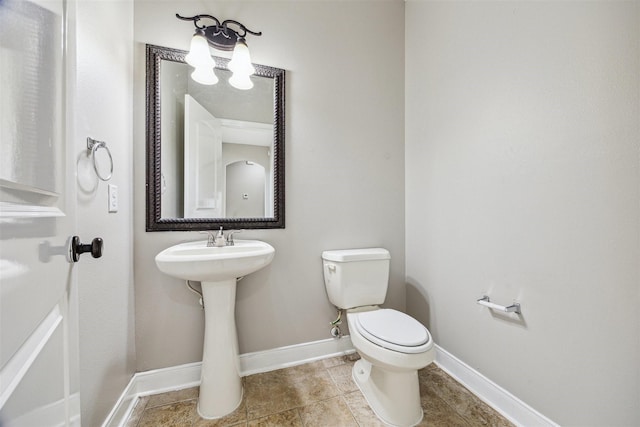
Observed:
{"x":245,"y":190}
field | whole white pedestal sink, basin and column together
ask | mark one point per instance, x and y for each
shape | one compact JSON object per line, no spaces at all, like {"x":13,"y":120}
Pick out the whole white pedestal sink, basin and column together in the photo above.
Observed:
{"x":217,"y":269}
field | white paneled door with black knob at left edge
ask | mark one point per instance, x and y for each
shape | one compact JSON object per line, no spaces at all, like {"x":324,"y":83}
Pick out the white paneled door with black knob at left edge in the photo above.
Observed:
{"x":39,"y":383}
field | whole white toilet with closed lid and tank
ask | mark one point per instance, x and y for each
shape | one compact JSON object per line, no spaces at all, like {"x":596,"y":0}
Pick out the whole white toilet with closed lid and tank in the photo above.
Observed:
{"x":392,"y":345}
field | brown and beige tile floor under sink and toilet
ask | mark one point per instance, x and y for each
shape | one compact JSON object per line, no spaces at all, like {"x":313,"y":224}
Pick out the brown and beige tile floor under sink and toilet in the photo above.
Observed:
{"x":316,"y":394}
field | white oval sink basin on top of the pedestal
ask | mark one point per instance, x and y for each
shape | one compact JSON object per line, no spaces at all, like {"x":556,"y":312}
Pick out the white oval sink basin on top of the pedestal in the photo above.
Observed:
{"x":195,"y":261}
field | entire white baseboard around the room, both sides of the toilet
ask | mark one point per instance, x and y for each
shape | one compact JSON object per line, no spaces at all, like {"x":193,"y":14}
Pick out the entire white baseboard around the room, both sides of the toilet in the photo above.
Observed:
{"x":185,"y":376}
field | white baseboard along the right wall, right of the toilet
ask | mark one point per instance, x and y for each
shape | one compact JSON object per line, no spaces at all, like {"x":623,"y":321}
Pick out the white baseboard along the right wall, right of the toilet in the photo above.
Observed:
{"x":509,"y":406}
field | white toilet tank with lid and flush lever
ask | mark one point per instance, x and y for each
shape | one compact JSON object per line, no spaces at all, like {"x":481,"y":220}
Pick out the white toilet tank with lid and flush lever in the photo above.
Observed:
{"x":356,"y":277}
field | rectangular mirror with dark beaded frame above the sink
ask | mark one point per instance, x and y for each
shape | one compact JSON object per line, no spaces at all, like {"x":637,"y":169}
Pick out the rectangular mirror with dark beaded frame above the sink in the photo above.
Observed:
{"x":215,"y":154}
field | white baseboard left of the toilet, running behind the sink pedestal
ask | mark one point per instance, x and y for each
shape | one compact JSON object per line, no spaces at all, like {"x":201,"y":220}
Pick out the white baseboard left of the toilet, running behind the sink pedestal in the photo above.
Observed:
{"x":185,"y":376}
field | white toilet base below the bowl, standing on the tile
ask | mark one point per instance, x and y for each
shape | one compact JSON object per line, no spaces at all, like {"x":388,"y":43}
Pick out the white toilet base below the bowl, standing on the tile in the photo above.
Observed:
{"x":394,"y":396}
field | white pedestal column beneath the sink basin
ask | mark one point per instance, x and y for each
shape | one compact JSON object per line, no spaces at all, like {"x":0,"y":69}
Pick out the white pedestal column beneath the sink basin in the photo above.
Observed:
{"x":221,"y":385}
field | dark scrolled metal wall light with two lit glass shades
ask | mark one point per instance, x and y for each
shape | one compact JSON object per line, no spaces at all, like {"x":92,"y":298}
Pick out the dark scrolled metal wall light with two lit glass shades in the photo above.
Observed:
{"x":222,"y":37}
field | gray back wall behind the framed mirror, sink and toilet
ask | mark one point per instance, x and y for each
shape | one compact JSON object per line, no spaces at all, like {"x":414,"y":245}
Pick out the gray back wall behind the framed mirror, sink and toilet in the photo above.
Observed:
{"x":344,"y":169}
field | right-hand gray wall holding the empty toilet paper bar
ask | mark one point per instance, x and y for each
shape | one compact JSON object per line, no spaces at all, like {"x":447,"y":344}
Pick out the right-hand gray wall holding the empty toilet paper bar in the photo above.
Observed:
{"x":523,"y":180}
